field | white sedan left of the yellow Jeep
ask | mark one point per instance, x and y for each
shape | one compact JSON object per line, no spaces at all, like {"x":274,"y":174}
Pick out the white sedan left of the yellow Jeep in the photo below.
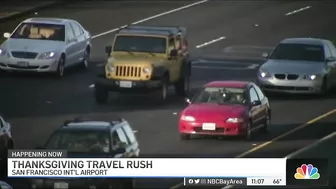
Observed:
{"x":45,"y":45}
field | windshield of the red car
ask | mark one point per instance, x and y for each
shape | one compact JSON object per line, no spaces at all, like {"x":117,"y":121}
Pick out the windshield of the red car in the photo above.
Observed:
{"x":221,"y":95}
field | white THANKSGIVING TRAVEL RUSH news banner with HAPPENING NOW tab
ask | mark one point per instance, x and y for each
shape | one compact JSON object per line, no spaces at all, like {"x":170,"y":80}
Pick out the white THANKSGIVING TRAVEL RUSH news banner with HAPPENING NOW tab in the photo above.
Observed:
{"x":193,"y":171}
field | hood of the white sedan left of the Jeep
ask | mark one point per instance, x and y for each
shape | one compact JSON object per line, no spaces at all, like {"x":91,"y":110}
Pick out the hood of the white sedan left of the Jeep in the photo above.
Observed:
{"x":32,"y":45}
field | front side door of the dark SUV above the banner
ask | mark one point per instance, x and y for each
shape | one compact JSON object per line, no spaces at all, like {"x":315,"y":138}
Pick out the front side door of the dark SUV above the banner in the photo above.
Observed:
{"x":119,"y":140}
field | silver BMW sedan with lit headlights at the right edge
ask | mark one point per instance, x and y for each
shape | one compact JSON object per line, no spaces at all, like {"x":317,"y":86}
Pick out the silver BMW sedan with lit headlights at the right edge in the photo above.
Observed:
{"x":299,"y":65}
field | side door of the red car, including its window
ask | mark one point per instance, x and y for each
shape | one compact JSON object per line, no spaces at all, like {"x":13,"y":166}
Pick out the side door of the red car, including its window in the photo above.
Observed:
{"x":255,"y":111}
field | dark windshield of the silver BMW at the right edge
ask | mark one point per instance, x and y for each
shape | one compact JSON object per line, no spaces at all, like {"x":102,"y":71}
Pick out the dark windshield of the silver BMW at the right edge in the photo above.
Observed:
{"x":299,"y":52}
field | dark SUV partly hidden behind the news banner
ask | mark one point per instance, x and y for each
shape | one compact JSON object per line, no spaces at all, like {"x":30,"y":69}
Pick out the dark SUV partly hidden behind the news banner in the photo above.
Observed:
{"x":83,"y":138}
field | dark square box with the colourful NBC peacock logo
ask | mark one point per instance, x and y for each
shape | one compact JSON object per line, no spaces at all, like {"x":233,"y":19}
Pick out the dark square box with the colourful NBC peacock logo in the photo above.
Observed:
{"x":307,"y":172}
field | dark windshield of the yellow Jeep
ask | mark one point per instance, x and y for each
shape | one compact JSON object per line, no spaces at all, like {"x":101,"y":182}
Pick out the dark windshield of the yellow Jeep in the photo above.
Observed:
{"x":140,"y":44}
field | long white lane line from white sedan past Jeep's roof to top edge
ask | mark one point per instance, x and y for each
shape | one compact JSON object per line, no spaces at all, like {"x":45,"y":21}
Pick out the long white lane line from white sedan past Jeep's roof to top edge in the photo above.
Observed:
{"x":150,"y":18}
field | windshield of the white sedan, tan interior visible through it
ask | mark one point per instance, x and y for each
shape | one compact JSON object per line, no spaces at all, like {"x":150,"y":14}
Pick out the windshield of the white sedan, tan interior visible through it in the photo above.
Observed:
{"x":40,"y":31}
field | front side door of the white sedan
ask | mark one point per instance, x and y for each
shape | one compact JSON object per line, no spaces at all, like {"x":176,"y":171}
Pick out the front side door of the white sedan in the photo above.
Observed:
{"x":70,"y":49}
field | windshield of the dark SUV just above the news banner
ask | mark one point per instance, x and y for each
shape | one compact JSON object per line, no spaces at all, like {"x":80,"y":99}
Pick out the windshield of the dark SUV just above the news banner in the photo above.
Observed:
{"x":80,"y":141}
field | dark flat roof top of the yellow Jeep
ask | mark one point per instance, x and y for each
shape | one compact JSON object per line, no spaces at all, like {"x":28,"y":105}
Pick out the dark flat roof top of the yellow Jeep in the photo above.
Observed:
{"x":152,"y":30}
